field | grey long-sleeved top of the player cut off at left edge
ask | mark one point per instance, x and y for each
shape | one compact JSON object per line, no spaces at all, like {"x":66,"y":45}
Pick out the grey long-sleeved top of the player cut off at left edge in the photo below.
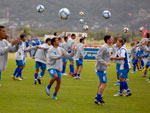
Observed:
{"x":5,"y":47}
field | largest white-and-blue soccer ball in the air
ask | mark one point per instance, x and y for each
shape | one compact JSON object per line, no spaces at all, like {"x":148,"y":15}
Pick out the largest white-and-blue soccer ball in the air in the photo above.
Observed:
{"x":64,"y":13}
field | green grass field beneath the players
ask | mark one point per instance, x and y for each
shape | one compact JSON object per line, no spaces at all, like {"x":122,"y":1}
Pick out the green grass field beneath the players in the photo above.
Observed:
{"x":75,"y":96}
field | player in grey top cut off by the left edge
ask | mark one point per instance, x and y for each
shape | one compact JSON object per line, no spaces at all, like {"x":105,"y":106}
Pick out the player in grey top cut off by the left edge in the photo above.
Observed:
{"x":5,"y":47}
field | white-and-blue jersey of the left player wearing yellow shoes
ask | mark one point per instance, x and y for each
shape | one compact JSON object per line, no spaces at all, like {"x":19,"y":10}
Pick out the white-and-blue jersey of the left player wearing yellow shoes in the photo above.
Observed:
{"x":20,"y":54}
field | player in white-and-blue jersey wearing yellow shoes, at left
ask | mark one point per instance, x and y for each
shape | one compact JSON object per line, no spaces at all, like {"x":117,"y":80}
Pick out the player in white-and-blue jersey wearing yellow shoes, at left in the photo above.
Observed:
{"x":20,"y":58}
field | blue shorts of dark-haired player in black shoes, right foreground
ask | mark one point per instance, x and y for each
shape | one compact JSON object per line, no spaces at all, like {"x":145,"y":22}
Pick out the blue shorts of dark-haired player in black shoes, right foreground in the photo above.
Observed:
{"x":102,"y":76}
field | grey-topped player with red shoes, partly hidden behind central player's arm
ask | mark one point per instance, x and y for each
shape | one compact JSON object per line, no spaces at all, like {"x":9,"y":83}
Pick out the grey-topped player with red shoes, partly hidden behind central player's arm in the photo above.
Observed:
{"x":70,"y":44}
